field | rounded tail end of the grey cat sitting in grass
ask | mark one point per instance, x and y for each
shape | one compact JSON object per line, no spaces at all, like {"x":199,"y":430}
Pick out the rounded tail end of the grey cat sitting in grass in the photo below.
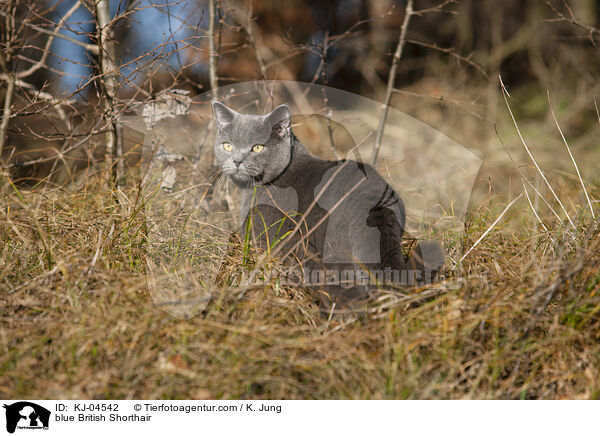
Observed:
{"x":425,"y":262}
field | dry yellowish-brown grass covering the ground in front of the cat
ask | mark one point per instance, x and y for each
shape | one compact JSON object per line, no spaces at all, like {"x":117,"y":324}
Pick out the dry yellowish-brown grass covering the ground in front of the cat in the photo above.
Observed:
{"x":523,"y":324}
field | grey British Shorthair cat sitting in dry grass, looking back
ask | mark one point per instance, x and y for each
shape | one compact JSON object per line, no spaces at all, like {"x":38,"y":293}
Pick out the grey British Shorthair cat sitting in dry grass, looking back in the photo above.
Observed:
{"x":340,"y":221}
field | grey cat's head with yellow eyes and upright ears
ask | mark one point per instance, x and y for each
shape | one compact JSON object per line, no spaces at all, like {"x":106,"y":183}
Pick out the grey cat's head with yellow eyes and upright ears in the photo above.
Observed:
{"x":252,"y":149}
